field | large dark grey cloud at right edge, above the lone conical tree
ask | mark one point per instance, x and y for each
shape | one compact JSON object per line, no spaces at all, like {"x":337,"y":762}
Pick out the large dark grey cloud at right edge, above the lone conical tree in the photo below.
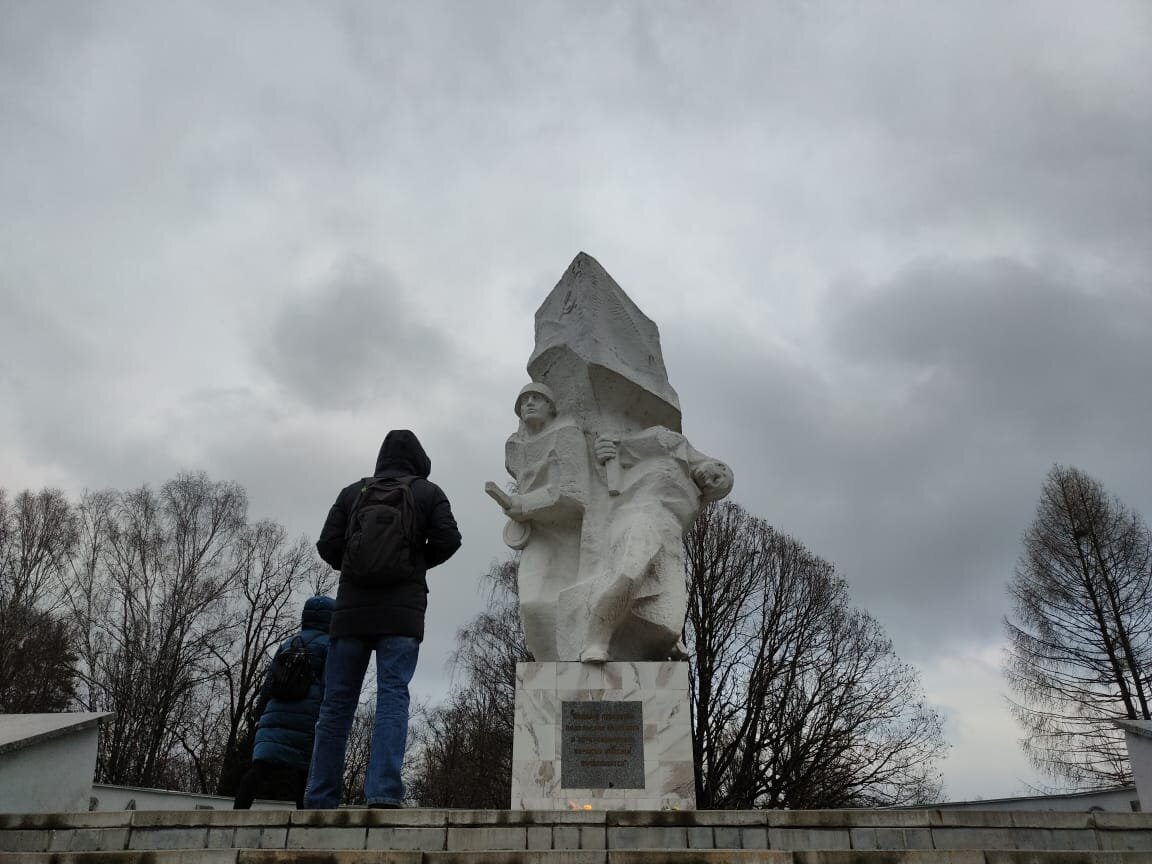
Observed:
{"x":1024,"y":347}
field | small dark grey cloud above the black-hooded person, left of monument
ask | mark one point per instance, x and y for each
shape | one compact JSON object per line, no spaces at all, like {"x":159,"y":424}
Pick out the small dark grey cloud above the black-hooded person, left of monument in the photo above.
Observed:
{"x":354,"y":339}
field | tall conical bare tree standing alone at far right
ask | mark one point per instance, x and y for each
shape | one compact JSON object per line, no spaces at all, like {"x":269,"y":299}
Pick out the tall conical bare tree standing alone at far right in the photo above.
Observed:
{"x":1081,"y":635}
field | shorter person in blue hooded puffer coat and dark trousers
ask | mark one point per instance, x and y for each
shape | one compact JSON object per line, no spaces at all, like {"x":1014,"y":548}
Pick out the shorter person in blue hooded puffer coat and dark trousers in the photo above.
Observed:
{"x":287,"y":729}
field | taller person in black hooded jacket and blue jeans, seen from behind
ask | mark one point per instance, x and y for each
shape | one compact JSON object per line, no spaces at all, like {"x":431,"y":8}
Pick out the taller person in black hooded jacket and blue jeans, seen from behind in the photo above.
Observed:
{"x":385,"y":619}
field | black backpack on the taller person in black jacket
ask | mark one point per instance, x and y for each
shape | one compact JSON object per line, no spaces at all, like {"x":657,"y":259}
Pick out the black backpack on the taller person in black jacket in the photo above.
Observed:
{"x":381,"y":539}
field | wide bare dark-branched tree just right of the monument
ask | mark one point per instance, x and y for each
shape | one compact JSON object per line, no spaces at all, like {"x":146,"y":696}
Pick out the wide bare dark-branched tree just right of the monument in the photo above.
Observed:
{"x":799,"y":700}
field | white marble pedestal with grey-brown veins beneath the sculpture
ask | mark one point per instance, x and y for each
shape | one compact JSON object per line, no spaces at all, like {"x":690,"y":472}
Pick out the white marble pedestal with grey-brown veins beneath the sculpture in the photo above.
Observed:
{"x":611,"y":737}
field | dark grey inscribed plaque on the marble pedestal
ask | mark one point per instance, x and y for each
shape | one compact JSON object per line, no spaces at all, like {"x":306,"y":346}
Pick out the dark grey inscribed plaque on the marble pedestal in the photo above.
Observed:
{"x":602,"y":746}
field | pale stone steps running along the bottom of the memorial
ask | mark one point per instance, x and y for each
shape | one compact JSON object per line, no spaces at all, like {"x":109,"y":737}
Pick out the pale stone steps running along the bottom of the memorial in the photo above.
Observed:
{"x":488,"y":837}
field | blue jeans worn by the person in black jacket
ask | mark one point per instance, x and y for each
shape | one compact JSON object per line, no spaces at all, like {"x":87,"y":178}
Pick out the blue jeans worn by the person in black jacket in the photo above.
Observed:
{"x":344,"y":674}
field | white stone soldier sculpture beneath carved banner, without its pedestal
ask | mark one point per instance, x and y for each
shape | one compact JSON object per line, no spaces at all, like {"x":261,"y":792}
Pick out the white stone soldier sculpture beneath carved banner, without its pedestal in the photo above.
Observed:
{"x":607,"y":486}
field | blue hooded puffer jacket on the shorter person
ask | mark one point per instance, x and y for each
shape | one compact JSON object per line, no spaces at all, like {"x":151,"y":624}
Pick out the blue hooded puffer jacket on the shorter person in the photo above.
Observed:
{"x":286,"y":729}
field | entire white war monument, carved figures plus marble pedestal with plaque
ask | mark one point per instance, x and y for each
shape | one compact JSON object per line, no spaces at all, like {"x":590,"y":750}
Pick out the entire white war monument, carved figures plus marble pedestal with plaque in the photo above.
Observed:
{"x":605,"y":486}
